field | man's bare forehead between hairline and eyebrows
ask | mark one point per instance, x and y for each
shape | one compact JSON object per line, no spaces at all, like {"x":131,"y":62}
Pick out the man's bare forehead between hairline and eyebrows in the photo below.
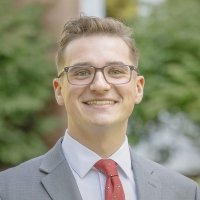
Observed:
{"x":97,"y":49}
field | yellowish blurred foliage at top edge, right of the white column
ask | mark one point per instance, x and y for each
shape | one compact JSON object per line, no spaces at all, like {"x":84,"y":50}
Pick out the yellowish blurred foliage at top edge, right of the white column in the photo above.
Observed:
{"x":123,"y":10}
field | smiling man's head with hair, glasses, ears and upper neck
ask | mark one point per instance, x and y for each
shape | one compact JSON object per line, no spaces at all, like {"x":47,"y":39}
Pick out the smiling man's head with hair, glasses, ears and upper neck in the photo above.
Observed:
{"x":100,"y":84}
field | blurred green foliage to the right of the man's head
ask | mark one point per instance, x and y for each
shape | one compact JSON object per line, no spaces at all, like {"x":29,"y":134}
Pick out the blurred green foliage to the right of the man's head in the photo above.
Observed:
{"x":168,"y":40}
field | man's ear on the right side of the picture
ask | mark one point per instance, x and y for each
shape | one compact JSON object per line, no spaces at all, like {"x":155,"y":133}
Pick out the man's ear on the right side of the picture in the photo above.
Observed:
{"x":140,"y":81}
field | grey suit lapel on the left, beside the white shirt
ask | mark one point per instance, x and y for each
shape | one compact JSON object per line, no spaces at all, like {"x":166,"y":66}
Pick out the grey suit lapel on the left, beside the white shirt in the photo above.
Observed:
{"x":59,"y":181}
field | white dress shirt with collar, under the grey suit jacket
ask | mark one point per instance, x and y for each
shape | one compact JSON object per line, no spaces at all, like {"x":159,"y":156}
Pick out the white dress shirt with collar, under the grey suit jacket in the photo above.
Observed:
{"x":91,"y":182}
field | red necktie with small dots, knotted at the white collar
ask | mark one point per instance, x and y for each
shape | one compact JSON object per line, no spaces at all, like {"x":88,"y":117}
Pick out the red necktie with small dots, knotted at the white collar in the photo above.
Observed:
{"x":113,"y":189}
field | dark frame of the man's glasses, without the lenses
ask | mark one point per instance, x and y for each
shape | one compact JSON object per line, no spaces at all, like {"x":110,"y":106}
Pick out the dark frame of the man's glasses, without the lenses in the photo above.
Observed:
{"x":66,"y":69}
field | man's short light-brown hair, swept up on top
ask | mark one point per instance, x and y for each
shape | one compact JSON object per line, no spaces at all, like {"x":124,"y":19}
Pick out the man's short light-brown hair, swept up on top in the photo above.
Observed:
{"x":87,"y":26}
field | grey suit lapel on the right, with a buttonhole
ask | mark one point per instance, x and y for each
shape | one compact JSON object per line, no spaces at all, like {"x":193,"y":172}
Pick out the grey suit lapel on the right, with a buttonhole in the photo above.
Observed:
{"x":147,"y":183}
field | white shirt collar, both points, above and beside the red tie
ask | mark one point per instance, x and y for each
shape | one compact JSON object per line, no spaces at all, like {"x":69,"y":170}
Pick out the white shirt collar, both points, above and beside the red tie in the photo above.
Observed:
{"x":83,"y":162}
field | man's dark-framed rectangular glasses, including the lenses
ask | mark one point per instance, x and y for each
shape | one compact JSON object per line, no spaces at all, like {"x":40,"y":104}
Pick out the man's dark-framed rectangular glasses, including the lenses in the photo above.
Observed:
{"x":113,"y":74}
